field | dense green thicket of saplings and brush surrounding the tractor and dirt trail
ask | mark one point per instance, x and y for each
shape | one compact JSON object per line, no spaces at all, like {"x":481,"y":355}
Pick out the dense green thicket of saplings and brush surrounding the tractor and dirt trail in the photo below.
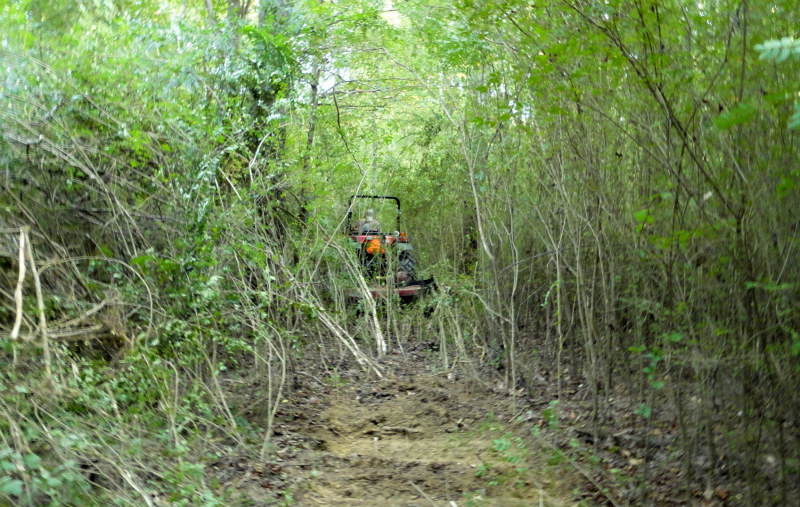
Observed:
{"x":608,"y":192}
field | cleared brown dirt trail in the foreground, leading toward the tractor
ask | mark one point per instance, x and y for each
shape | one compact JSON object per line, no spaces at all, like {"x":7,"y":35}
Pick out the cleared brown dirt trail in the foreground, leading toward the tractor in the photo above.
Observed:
{"x":413,"y":438}
